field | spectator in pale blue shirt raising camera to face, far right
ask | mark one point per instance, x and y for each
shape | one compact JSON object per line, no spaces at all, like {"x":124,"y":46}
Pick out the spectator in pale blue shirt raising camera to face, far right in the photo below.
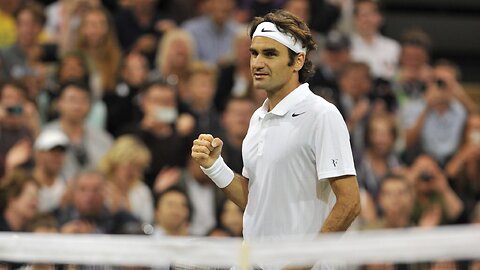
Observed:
{"x":435,"y":125}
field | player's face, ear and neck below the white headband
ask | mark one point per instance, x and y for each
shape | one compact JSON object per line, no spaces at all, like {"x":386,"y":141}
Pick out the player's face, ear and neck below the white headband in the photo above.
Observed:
{"x":270,"y":70}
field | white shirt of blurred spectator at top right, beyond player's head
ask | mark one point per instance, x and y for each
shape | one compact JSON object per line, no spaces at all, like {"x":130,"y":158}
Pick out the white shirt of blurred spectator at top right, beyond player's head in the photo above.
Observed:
{"x":381,"y":55}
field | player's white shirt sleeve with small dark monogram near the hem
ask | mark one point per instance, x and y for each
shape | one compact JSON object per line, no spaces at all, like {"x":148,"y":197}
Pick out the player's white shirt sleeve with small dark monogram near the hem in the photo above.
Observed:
{"x":333,"y":152}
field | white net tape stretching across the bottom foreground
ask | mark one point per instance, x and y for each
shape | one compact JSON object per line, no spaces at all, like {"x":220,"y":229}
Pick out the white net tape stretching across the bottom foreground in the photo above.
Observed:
{"x":353,"y":248}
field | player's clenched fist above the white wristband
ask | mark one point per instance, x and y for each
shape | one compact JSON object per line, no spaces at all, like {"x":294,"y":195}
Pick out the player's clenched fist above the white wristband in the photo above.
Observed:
{"x":206,"y":150}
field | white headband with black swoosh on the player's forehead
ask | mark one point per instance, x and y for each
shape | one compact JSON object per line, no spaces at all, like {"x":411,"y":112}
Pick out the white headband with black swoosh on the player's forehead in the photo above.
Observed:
{"x":270,"y":30}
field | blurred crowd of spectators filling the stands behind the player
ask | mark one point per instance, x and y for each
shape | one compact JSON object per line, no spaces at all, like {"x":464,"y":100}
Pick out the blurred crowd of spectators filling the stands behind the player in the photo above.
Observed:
{"x":100,"y":102}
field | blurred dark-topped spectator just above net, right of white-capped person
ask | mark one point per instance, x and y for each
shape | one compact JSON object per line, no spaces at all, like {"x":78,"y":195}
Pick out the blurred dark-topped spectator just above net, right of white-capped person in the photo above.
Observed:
{"x":86,"y":210}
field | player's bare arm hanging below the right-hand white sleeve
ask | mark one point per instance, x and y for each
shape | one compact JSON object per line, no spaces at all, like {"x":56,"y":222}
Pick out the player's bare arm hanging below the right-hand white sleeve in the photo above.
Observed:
{"x":347,"y":206}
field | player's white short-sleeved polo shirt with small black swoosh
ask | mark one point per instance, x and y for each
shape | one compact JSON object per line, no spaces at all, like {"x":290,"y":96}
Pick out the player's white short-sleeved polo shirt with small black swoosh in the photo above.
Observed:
{"x":288,"y":154}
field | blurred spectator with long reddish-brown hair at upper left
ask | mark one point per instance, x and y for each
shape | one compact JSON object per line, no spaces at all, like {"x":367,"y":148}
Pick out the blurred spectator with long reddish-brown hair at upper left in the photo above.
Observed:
{"x":96,"y":37}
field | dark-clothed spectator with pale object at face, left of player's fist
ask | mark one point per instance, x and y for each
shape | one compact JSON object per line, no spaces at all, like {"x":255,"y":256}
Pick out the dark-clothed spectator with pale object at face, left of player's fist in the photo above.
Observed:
{"x":165,"y":133}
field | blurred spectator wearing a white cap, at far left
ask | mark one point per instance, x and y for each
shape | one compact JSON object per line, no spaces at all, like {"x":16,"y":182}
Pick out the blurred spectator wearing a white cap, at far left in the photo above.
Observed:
{"x":50,"y":147}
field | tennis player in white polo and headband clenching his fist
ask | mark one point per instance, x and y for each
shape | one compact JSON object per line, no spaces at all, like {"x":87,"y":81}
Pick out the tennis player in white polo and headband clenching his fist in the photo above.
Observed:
{"x":299,"y":177}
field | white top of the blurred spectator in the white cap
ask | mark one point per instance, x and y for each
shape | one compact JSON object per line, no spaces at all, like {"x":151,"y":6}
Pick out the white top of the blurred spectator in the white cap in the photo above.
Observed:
{"x":50,"y":196}
